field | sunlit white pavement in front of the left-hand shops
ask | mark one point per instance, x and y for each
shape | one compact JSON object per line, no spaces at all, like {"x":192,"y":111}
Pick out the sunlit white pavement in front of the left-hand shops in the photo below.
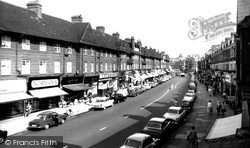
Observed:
{"x":19,"y":124}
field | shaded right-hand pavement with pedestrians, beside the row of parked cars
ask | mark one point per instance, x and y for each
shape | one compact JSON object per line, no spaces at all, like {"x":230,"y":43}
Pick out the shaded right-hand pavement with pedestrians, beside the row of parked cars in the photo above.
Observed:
{"x":200,"y":118}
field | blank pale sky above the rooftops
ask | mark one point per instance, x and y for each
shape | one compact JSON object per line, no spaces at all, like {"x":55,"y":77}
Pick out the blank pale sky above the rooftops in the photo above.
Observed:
{"x":159,"y":24}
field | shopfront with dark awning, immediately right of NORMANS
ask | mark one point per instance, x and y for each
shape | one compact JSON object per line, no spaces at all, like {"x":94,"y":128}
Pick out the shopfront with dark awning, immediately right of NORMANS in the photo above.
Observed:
{"x":75,"y":88}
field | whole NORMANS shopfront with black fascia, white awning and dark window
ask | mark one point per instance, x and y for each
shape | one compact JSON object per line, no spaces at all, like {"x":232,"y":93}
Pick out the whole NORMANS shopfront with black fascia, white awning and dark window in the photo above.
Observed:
{"x":47,"y":92}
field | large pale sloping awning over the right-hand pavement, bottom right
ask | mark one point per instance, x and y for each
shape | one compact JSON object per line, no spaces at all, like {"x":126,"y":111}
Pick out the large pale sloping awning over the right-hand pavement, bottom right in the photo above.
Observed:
{"x":224,"y":129}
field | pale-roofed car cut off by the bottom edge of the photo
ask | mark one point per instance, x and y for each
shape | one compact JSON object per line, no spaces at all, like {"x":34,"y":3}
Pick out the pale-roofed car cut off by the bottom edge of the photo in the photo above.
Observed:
{"x":140,"y":140}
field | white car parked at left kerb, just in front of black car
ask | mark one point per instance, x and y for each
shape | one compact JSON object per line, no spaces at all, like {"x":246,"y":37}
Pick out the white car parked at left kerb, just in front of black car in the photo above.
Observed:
{"x":102,"y":103}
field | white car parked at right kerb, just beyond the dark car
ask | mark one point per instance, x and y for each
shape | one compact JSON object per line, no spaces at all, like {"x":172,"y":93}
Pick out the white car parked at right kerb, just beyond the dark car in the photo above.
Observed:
{"x":176,"y":115}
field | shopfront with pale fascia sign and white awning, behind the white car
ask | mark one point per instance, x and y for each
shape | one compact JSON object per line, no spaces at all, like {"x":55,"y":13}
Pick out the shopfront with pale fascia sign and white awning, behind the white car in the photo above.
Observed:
{"x":107,"y":83}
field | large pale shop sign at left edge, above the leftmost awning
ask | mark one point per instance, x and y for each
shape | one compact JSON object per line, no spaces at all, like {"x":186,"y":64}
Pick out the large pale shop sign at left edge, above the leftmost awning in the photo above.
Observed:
{"x":10,"y":86}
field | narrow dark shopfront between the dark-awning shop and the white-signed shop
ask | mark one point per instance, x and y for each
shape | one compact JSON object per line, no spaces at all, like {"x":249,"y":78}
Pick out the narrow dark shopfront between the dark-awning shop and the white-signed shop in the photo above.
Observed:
{"x":92,"y":81}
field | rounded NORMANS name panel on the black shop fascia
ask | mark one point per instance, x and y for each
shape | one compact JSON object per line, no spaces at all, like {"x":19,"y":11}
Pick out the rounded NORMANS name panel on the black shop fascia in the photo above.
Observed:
{"x":44,"y":83}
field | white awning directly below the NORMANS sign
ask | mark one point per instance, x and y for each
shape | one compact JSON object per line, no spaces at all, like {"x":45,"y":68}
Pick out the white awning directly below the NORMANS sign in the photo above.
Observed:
{"x":47,"y":92}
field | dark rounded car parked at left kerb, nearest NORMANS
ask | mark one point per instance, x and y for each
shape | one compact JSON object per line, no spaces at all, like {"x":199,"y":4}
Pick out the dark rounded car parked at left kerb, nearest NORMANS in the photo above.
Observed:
{"x":46,"y":120}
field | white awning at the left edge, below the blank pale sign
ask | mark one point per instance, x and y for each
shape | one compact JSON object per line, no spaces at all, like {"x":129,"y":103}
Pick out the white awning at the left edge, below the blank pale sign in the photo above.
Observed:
{"x":17,"y":96}
